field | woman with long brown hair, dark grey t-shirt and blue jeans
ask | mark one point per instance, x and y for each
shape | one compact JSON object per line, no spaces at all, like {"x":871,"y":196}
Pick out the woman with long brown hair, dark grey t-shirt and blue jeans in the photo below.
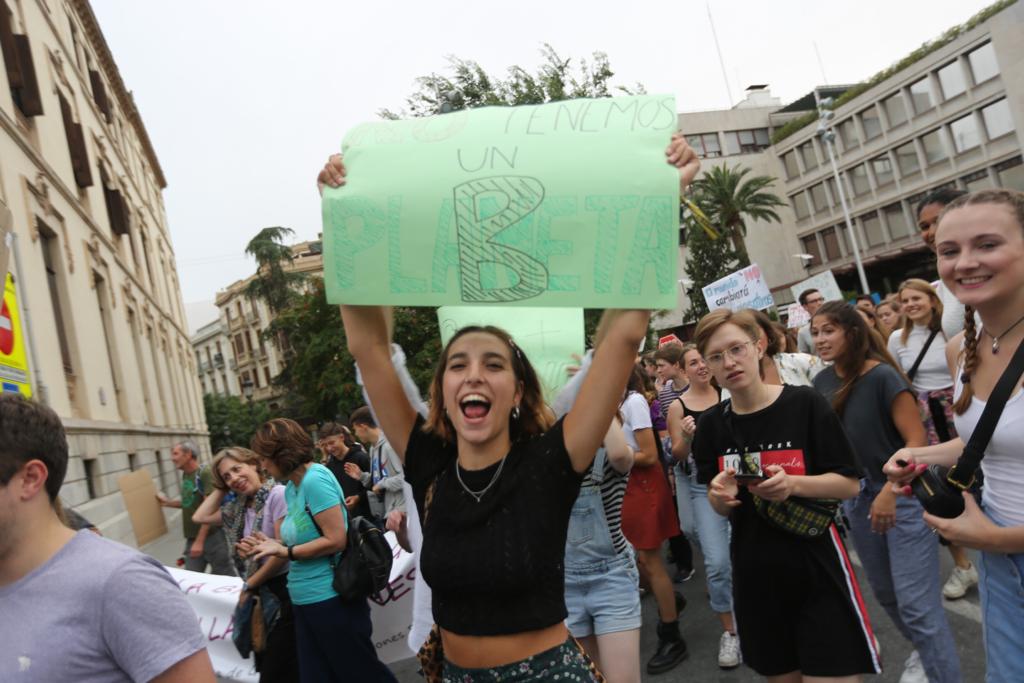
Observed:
{"x":897,"y":548}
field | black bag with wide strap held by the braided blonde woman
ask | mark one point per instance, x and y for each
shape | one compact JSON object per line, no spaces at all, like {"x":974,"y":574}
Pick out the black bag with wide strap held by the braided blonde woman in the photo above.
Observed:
{"x":941,"y":489}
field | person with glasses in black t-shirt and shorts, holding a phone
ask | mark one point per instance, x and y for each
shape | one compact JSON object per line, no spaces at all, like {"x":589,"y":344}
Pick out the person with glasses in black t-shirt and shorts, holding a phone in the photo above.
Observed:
{"x":799,"y":611}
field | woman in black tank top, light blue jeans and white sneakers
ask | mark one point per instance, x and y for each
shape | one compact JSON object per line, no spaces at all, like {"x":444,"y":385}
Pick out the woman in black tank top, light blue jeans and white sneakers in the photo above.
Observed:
{"x":696,"y":515}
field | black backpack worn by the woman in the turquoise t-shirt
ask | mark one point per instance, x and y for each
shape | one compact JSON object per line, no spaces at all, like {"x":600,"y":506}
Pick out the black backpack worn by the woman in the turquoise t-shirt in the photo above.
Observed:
{"x":365,"y":569}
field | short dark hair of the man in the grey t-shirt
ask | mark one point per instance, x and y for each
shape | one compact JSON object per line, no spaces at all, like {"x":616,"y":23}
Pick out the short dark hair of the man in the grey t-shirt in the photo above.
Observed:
{"x":32,"y":432}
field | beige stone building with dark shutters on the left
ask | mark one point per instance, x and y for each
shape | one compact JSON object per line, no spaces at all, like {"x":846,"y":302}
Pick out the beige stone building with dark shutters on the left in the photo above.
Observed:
{"x":98,"y":293}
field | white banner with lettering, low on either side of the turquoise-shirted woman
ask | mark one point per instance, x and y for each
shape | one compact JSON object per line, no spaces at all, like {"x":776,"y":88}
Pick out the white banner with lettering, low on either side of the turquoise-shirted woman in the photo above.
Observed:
{"x":214,"y":600}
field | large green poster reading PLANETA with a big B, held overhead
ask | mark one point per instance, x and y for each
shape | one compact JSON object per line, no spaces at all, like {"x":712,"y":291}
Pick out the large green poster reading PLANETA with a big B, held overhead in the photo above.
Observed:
{"x":567,"y":204}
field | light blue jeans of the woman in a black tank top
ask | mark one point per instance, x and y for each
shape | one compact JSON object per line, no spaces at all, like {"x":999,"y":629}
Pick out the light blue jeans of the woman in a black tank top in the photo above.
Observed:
{"x":700,"y":523}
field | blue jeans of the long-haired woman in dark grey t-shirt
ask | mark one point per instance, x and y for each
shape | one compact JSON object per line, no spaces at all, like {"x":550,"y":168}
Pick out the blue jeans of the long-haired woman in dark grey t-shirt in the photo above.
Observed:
{"x":903,"y":567}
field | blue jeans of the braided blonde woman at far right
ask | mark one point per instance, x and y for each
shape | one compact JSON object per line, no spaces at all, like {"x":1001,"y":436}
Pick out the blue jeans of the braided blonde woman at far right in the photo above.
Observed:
{"x":1002,"y":589}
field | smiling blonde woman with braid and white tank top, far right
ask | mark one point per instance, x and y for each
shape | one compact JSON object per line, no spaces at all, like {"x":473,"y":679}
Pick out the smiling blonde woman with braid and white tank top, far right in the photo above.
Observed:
{"x":980,"y":245}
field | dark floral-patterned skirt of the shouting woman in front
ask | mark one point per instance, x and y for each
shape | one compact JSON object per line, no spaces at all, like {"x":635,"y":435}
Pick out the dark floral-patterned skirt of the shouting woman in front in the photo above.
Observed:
{"x":565,"y":663}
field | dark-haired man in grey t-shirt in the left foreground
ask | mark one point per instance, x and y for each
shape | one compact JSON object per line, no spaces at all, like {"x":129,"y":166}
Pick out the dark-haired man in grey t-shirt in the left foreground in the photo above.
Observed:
{"x":76,"y":607}
